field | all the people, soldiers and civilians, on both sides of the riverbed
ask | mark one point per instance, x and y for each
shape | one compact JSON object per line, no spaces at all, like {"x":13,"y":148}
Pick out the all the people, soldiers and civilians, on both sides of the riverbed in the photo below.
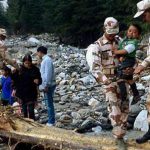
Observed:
{"x":111,"y":59}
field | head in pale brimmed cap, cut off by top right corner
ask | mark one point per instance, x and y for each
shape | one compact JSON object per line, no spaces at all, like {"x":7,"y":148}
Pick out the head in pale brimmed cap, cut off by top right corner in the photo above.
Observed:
{"x":143,"y":9}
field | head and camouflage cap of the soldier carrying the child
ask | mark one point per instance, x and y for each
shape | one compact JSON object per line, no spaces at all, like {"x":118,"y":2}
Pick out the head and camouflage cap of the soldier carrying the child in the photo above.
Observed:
{"x":111,"y":28}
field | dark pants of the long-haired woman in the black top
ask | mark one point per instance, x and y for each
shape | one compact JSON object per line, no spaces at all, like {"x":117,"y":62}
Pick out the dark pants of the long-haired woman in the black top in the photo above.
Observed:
{"x":28,"y":110}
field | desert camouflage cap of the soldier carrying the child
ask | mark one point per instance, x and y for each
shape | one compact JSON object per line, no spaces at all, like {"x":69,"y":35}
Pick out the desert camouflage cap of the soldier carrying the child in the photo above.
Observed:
{"x":111,"y":25}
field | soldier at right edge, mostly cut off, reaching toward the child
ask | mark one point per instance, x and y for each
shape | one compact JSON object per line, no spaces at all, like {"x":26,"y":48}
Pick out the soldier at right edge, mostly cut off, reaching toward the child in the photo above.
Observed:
{"x":144,"y":11}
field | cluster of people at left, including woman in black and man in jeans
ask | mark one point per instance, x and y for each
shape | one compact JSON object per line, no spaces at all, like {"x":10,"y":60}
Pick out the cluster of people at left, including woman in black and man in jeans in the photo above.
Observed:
{"x":23,"y":81}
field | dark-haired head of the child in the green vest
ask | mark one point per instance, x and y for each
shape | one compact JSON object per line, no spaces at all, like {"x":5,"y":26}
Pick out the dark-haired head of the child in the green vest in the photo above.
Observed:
{"x":134,"y":31}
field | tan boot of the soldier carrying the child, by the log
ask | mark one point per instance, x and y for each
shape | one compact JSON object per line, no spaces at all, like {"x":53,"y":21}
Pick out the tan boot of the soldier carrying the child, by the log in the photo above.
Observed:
{"x":118,"y":132}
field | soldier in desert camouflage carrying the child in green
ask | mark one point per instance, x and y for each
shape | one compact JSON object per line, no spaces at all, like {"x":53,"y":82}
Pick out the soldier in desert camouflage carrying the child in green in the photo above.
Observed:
{"x":102,"y":63}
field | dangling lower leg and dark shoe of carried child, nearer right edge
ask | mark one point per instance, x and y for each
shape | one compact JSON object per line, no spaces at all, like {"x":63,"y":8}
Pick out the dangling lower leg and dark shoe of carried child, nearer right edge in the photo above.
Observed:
{"x":136,"y":95}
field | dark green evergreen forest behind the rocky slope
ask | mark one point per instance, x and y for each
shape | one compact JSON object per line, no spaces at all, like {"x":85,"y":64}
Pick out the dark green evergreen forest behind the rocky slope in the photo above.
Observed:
{"x":76,"y":22}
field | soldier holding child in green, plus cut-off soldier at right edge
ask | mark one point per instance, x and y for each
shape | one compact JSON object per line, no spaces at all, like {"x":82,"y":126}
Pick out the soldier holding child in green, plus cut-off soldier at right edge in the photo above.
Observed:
{"x":112,"y":61}
